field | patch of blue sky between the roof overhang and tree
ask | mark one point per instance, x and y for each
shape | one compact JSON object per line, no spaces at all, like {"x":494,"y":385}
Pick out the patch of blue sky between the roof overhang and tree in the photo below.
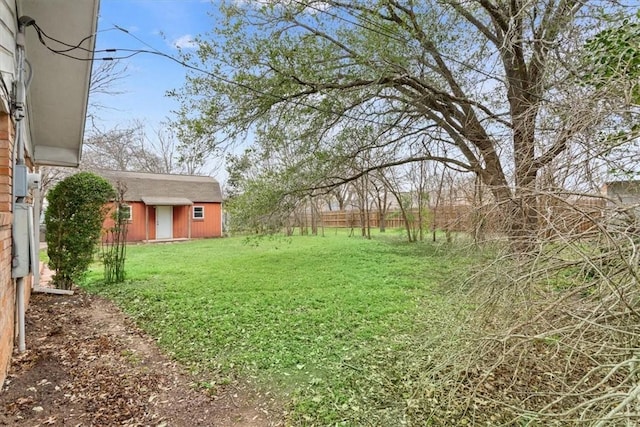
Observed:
{"x":161,"y":24}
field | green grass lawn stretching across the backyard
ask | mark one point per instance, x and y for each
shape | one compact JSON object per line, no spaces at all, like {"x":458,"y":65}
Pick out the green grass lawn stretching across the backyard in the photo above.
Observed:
{"x":329,"y":324}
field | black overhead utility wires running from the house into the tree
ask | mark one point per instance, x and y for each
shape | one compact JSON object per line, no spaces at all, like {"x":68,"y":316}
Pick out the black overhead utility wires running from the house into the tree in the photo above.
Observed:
{"x":157,"y":52}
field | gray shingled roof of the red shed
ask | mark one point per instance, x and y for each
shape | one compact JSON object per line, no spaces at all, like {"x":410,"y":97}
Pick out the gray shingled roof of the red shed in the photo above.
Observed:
{"x":141,"y":185}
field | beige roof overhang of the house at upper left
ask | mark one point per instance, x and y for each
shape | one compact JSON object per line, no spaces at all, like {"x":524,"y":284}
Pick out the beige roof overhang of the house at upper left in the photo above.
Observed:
{"x":59,"y":90}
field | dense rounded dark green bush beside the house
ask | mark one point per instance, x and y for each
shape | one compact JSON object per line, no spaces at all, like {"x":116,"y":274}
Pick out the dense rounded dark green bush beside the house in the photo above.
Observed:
{"x":73,"y":221}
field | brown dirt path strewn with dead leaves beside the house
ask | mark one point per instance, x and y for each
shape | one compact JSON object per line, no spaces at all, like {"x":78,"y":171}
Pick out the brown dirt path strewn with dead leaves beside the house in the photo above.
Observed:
{"x":87,"y":364}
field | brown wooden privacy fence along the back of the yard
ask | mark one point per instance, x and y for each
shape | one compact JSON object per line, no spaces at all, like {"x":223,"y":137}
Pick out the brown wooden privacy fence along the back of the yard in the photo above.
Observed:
{"x":554,"y":217}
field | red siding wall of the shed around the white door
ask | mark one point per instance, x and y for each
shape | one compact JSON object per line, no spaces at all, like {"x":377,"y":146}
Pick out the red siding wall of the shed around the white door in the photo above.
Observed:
{"x":210,"y":226}
